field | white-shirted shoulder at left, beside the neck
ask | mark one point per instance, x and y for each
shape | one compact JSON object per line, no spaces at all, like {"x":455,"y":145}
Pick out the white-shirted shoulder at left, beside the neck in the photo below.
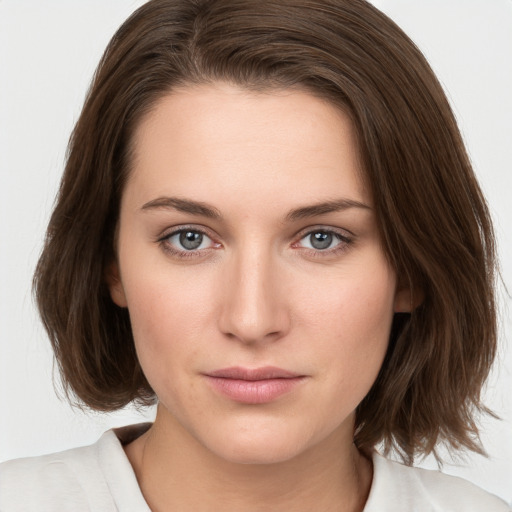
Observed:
{"x":96,"y":477}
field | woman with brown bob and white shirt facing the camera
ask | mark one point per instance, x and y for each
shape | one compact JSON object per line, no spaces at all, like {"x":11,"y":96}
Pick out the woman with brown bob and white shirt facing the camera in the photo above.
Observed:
{"x":267,"y":223}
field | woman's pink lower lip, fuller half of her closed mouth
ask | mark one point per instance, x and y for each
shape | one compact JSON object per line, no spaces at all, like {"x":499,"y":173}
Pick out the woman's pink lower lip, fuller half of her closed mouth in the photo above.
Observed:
{"x":254,"y":391}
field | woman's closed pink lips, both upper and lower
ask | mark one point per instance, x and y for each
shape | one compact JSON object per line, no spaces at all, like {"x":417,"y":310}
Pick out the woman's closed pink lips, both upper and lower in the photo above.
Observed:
{"x":253,"y":386}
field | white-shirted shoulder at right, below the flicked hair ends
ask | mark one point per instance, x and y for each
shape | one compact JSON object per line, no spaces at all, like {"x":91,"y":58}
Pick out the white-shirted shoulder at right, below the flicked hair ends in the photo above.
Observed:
{"x":401,"y":488}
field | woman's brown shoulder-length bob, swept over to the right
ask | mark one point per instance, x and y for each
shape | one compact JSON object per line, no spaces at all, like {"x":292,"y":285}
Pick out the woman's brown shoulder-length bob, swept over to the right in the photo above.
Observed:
{"x":432,"y":217}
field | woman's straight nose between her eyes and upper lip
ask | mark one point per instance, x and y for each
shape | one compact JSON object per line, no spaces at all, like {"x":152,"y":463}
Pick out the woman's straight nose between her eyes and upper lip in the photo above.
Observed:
{"x":254,"y":305}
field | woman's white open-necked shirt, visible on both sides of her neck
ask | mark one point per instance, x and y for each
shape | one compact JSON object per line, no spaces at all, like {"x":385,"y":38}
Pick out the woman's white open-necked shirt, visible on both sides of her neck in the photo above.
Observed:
{"x":99,"y":478}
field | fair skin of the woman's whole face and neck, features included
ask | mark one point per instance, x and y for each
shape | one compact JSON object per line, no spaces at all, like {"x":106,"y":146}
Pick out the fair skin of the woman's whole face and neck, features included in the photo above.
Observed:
{"x":247,"y":240}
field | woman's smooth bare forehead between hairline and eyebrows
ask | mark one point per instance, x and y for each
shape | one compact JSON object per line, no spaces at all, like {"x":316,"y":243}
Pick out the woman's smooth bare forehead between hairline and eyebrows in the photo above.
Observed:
{"x":226,"y":140}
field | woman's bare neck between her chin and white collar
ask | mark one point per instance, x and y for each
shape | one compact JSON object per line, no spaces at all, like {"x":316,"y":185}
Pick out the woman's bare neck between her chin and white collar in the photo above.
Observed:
{"x":176,"y":472}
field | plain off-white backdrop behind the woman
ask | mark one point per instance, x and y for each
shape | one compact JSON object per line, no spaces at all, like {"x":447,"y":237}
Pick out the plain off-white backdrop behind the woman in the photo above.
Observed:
{"x":48,"y":52}
